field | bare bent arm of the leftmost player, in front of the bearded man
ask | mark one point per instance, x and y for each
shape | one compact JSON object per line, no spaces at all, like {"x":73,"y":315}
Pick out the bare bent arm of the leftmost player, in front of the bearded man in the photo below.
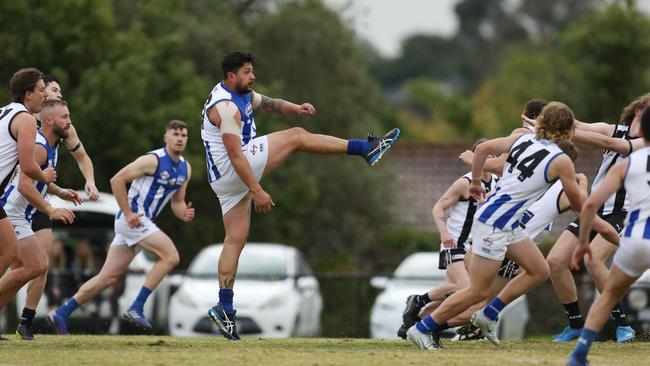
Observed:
{"x":24,"y":128}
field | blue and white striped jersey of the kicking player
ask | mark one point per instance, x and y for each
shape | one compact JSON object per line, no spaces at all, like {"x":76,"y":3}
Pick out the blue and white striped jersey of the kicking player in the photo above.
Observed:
{"x":216,"y":155}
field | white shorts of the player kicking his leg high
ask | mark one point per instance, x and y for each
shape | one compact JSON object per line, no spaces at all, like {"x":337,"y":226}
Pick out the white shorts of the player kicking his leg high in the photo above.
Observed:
{"x":229,"y":187}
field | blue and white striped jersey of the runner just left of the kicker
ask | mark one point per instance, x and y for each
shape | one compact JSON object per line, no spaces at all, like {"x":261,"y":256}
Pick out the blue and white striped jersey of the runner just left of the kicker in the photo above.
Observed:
{"x":150,"y":193}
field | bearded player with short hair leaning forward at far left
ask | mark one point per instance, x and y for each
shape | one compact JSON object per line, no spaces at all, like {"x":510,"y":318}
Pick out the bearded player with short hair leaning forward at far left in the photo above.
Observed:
{"x":23,"y":196}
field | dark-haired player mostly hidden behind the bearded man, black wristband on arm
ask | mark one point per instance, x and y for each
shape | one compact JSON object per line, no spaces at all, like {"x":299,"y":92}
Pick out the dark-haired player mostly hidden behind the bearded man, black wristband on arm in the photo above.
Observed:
{"x":42,"y":224}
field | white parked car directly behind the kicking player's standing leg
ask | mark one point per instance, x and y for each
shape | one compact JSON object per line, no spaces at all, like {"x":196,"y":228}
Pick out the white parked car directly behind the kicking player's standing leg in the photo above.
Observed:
{"x":276,"y":295}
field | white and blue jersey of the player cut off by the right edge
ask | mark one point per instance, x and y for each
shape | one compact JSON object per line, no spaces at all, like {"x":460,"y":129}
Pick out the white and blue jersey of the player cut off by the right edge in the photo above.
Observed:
{"x":637,"y":184}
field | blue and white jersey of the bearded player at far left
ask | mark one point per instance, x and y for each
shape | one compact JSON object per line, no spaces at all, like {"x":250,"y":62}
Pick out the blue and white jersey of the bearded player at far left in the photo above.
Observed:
{"x":14,"y":204}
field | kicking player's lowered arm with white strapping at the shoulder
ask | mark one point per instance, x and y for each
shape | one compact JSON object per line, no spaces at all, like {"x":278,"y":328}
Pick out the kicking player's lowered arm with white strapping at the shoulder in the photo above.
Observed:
{"x":228,"y":119}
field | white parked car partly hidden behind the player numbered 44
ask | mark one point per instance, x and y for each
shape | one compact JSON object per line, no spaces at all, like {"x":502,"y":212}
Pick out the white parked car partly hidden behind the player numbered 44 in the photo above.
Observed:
{"x":417,"y":274}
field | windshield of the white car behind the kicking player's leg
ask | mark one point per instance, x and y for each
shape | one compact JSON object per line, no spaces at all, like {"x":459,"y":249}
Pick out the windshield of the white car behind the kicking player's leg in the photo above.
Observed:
{"x":261,"y":265}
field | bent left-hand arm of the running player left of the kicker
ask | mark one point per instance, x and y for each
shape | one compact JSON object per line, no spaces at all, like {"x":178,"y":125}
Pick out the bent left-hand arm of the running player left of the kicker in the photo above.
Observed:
{"x":145,"y":164}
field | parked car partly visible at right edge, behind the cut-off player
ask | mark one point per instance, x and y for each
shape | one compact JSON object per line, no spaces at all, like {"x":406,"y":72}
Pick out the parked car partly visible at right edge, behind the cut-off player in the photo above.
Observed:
{"x":636,"y":303}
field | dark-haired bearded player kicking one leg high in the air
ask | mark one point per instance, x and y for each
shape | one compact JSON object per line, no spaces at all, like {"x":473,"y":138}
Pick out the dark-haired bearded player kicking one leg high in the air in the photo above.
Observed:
{"x":237,"y":160}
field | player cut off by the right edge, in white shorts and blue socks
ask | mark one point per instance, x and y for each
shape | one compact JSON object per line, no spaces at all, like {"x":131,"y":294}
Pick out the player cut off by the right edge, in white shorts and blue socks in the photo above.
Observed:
{"x":633,"y":255}
